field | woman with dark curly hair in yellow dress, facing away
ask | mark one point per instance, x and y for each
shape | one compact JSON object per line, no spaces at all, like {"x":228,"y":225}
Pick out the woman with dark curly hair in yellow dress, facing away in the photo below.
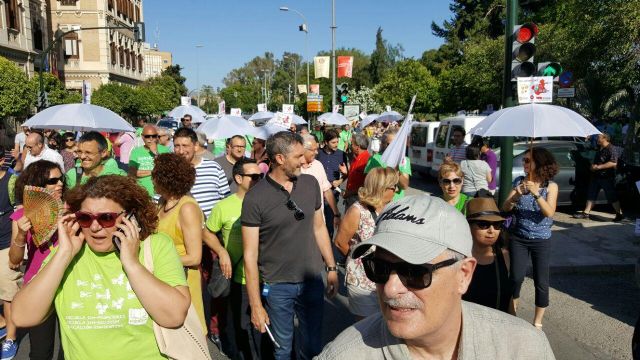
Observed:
{"x":181,"y":218}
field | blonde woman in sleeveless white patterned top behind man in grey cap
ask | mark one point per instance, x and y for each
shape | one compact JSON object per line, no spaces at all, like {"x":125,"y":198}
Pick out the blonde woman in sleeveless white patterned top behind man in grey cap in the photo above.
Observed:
{"x":357,"y":226}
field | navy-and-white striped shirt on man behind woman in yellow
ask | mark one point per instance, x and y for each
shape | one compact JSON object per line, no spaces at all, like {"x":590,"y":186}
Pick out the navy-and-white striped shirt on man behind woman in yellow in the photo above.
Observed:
{"x":211,"y":185}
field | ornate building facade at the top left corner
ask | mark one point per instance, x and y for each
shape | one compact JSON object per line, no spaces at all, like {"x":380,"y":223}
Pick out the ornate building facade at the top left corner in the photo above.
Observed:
{"x":23,"y":32}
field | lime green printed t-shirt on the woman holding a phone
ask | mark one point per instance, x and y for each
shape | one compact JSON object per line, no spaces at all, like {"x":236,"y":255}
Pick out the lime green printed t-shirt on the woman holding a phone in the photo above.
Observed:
{"x":100,"y":315}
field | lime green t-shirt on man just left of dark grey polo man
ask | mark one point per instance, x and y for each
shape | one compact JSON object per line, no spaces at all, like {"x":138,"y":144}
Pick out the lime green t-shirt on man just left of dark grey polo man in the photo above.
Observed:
{"x":225,"y":217}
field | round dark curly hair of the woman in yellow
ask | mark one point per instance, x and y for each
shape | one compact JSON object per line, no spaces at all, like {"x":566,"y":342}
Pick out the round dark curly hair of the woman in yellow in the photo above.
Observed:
{"x":173,"y":175}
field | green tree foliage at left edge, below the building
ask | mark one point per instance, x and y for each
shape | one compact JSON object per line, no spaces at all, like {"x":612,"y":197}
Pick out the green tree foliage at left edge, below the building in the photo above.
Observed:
{"x":14,"y":90}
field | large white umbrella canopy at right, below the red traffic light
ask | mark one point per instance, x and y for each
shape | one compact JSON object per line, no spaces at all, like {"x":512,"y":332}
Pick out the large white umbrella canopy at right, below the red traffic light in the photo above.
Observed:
{"x":534,"y":121}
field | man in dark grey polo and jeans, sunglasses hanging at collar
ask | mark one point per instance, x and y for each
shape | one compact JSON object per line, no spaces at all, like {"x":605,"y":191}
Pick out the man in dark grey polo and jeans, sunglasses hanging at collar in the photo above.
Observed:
{"x":285,"y":240}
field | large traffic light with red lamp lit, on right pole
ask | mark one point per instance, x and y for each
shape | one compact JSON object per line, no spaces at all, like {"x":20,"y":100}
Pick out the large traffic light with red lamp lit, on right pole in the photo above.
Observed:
{"x":524,"y":49}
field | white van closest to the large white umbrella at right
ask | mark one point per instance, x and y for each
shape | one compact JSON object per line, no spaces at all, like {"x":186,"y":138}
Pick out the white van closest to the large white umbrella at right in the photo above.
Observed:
{"x":444,"y":137}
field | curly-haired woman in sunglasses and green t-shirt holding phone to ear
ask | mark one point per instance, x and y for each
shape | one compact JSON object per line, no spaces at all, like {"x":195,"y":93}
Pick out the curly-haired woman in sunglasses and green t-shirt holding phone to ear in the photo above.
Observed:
{"x":107,"y":300}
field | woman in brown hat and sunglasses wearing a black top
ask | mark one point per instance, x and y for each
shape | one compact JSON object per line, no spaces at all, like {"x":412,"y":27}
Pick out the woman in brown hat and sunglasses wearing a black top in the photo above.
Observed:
{"x":490,"y":285}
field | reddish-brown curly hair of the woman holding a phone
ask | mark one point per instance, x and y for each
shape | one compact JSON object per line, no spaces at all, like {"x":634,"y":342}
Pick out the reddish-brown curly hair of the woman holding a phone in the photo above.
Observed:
{"x":123,"y":190}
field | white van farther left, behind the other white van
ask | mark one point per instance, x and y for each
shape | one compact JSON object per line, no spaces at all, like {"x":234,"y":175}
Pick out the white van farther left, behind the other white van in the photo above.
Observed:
{"x":421,"y":147}
